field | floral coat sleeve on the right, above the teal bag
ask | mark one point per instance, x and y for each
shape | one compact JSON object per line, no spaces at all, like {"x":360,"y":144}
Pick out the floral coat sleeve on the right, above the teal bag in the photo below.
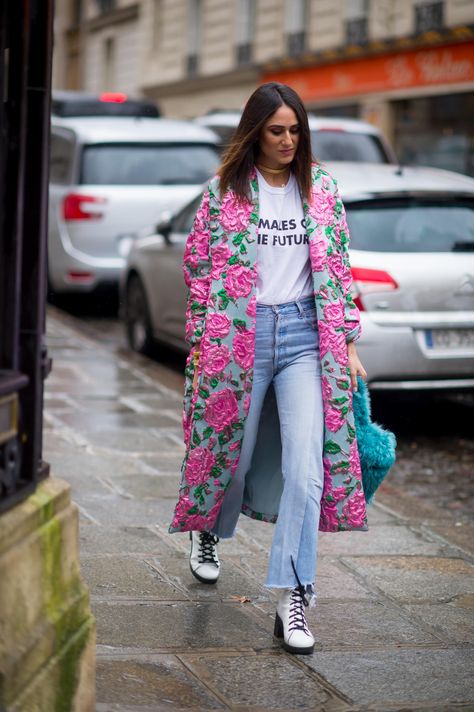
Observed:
{"x":351,"y":312}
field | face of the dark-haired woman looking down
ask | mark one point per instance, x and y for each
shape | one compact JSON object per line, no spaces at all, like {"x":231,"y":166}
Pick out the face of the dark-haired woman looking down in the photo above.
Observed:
{"x":279,"y":138}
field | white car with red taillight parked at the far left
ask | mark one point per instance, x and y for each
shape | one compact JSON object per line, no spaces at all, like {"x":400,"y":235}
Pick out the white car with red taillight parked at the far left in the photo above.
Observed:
{"x":109,"y":178}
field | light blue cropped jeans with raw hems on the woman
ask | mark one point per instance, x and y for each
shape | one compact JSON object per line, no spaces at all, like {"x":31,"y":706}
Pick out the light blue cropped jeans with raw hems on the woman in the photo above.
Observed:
{"x":287,"y":354}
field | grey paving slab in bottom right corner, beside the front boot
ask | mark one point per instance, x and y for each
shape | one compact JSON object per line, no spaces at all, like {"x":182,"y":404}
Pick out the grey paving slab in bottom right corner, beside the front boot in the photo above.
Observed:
{"x":393,"y":679}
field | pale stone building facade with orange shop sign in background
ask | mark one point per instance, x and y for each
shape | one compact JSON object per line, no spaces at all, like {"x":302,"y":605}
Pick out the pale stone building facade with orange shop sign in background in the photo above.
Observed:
{"x":404,"y":65}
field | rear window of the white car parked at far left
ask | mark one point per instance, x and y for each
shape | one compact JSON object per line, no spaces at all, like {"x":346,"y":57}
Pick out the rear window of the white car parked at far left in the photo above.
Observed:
{"x":148,"y":164}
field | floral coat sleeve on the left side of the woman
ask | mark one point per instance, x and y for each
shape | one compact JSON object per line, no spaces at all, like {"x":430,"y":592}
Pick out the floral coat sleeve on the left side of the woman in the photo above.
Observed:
{"x":196,"y":270}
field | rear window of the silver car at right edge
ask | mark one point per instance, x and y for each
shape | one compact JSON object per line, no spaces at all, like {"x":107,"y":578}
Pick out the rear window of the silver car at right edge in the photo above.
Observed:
{"x":411,"y":225}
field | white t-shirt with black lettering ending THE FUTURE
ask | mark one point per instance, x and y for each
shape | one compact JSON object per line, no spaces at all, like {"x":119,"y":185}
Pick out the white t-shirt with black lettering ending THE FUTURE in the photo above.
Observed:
{"x":284,"y":269}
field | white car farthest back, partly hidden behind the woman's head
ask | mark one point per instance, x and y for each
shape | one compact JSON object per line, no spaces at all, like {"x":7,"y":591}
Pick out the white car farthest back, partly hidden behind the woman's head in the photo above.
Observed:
{"x":332,"y":139}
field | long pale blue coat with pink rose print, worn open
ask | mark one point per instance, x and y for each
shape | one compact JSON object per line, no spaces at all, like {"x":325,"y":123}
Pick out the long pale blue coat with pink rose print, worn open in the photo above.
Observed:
{"x":220,"y":269}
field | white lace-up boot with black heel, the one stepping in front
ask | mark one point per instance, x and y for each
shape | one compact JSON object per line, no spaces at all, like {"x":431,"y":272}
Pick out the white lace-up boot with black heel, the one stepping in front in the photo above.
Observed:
{"x":290,"y":622}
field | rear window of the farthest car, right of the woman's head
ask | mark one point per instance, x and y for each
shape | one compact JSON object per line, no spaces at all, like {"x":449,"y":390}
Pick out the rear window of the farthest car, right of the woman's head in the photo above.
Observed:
{"x":332,"y":145}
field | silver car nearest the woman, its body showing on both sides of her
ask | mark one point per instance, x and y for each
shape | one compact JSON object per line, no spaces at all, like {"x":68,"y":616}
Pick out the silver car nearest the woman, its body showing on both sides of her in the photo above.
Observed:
{"x":412,"y":259}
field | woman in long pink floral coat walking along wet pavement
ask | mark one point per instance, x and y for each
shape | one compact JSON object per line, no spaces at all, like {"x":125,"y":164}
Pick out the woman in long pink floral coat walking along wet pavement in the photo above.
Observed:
{"x":268,"y":421}
